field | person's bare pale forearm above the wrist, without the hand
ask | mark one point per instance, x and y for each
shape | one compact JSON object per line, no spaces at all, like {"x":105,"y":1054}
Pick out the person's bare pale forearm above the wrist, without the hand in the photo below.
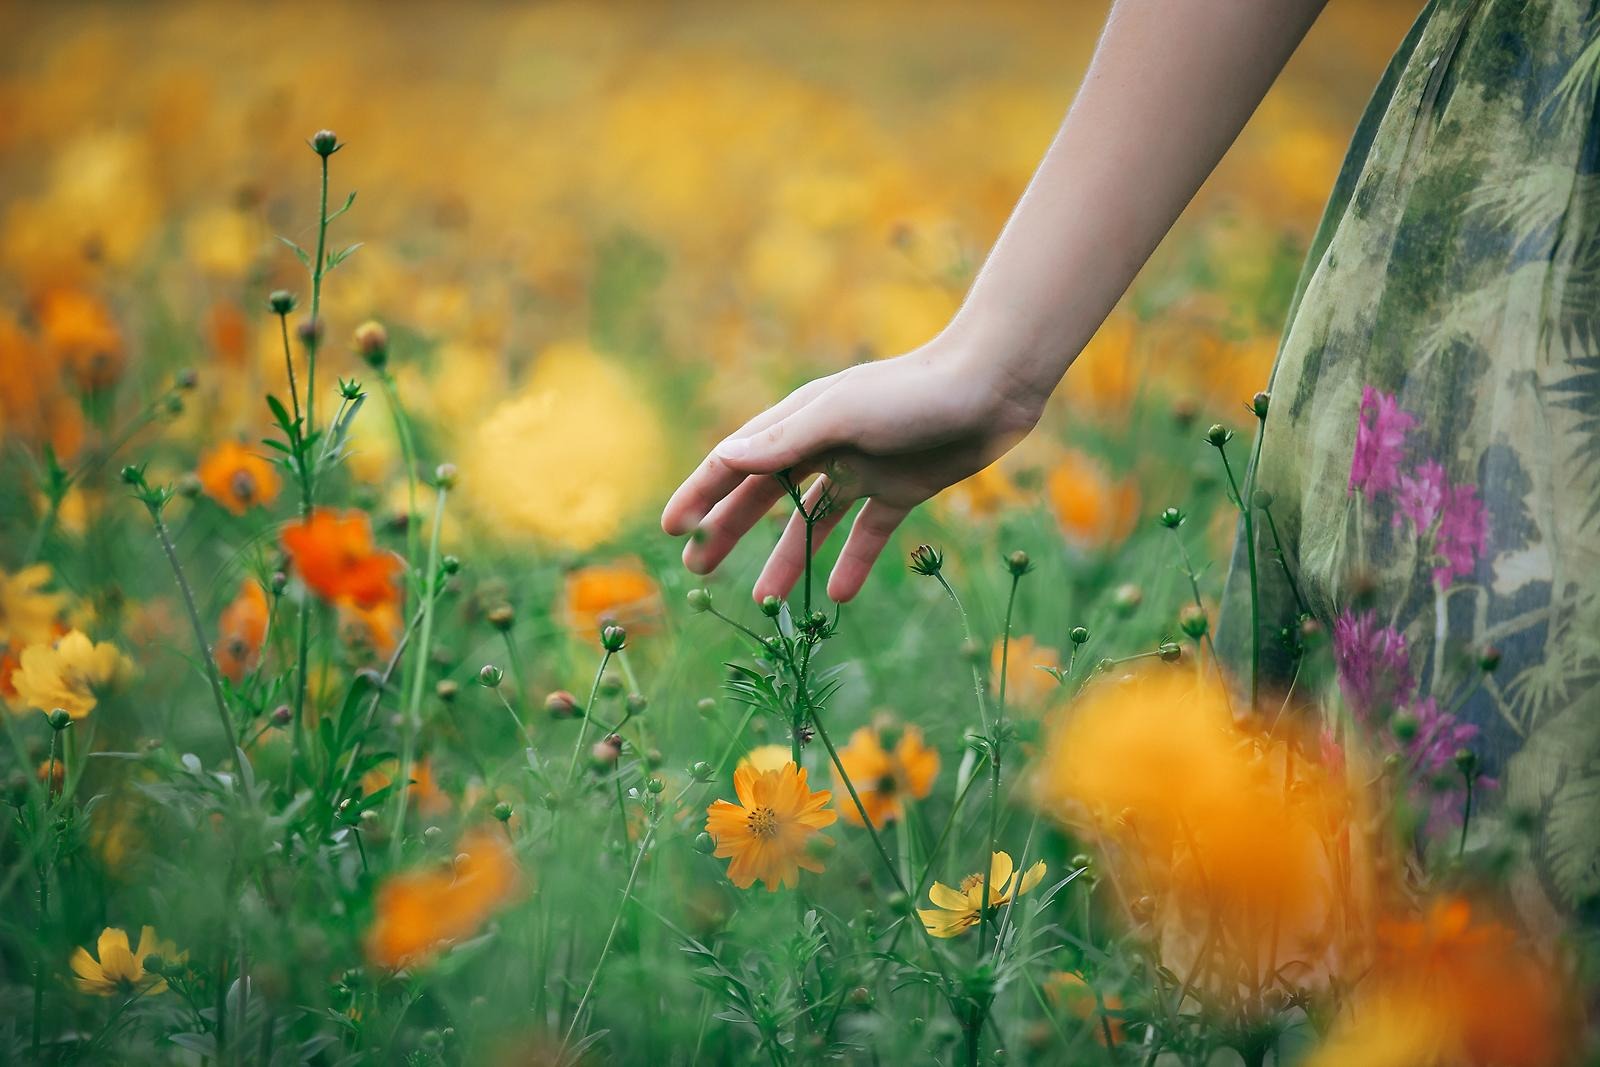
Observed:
{"x":1169,"y":89}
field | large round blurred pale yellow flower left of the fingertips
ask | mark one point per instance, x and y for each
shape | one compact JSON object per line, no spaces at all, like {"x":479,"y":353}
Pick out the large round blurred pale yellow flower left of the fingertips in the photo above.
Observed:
{"x":570,"y":458}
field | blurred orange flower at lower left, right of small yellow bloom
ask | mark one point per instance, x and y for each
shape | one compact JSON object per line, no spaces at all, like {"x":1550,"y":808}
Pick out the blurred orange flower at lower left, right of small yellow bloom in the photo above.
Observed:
{"x":420,"y":909}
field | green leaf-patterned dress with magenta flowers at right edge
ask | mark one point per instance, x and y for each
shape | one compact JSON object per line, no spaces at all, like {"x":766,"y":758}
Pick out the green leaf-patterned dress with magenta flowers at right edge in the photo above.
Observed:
{"x":1433,"y":447}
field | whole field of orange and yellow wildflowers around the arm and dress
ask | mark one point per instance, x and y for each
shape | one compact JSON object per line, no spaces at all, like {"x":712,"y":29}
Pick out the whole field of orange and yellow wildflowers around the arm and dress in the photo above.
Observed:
{"x":358,"y":711}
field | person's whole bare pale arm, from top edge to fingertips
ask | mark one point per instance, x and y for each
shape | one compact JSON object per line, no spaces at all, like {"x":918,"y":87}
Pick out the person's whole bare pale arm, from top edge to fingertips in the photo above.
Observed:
{"x":1170,"y":87}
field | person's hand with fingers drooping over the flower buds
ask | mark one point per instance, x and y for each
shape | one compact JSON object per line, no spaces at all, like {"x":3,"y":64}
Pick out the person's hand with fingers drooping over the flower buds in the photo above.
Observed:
{"x":894,"y":433}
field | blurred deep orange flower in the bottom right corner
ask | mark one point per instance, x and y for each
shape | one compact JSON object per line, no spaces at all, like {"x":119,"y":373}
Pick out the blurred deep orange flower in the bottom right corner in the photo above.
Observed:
{"x":1455,"y":988}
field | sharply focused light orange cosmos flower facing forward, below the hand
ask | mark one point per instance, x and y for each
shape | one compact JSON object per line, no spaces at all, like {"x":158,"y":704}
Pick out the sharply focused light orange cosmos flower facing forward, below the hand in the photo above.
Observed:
{"x":769,"y":831}
